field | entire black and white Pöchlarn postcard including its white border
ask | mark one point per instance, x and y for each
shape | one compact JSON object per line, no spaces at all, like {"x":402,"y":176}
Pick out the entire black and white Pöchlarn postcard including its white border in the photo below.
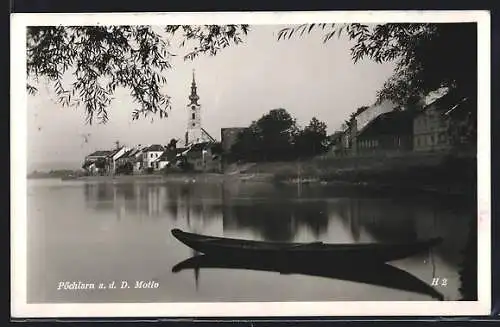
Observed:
{"x":250,"y":164}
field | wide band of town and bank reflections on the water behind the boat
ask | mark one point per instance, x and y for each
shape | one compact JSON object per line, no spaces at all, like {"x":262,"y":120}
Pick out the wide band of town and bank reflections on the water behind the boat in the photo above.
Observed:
{"x":264,"y":212}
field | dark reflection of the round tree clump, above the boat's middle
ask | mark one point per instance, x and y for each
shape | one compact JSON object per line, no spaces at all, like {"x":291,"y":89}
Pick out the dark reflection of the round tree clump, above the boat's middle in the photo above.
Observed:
{"x":278,"y":220}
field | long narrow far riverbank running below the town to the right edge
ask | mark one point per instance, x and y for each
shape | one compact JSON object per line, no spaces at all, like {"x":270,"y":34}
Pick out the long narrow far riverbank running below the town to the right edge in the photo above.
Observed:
{"x":426,"y":173}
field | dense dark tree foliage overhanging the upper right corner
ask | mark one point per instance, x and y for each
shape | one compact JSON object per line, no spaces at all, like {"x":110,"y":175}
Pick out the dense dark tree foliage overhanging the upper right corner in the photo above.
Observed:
{"x":427,"y":56}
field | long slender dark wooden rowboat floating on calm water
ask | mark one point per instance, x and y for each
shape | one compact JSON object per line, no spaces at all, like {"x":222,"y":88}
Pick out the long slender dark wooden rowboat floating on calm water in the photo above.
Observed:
{"x":302,"y":252}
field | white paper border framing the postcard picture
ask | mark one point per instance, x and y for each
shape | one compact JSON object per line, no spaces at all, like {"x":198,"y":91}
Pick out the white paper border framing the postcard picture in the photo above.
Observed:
{"x":19,"y":307}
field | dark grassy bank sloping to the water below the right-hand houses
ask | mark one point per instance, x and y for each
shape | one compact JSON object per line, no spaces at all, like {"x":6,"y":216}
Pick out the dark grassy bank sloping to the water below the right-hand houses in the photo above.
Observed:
{"x":432,"y":172}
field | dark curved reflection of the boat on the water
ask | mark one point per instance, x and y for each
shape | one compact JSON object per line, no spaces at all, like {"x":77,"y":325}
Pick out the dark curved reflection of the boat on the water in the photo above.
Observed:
{"x":378,"y":274}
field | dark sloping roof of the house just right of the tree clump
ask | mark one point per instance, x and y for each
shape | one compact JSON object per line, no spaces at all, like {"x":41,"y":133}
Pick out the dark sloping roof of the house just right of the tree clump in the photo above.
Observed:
{"x":389,"y":123}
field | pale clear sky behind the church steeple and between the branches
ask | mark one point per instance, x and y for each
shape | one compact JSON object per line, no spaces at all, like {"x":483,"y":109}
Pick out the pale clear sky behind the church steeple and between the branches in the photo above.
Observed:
{"x":241,"y":83}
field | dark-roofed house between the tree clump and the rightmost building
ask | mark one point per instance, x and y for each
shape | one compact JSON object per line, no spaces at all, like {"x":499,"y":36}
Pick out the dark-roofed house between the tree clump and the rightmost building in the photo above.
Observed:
{"x":390,"y":131}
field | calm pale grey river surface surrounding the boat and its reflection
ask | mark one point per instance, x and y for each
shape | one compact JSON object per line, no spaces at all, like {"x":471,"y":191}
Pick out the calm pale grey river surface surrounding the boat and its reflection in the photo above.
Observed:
{"x":96,"y":232}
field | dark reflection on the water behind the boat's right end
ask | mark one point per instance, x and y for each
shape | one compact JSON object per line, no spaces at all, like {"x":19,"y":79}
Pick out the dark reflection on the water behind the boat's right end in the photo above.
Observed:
{"x":401,"y":220}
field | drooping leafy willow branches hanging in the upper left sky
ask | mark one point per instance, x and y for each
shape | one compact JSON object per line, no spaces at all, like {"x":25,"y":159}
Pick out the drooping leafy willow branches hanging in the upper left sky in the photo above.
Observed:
{"x":99,"y":59}
